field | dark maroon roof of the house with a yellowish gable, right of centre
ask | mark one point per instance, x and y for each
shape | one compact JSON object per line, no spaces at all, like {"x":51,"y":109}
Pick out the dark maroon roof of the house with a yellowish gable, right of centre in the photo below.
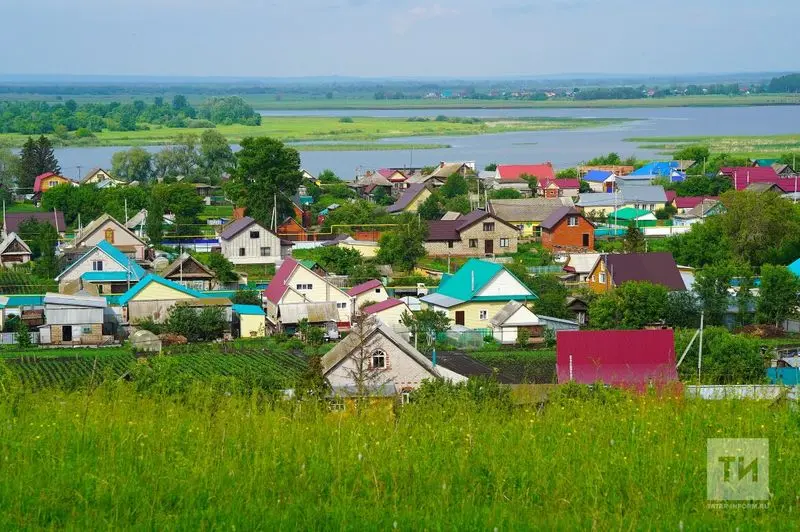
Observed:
{"x":656,"y":268}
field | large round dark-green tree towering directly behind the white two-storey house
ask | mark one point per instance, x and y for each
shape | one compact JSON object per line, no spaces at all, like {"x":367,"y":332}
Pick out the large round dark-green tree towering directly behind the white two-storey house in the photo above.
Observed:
{"x":269,"y":173}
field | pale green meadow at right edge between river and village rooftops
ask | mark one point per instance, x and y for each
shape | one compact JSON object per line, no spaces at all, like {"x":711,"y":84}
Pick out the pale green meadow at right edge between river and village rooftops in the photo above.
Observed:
{"x":754,"y":146}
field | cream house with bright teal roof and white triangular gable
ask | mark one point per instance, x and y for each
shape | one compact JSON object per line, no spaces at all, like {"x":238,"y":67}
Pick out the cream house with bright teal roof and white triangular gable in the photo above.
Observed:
{"x":473,"y":295}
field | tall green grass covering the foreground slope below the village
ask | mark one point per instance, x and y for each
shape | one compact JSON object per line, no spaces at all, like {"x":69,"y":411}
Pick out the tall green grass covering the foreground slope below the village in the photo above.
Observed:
{"x":115,"y":458}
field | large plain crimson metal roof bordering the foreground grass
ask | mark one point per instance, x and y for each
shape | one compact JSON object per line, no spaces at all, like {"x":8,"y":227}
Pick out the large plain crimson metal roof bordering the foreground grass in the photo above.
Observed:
{"x":629,"y":359}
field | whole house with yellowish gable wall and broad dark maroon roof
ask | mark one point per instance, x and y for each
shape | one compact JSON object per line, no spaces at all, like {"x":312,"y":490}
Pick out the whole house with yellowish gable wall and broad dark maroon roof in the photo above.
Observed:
{"x":614,"y":269}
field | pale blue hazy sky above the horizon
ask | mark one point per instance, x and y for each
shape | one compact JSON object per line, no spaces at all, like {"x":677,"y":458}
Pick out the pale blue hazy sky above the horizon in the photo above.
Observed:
{"x":396,"y":38}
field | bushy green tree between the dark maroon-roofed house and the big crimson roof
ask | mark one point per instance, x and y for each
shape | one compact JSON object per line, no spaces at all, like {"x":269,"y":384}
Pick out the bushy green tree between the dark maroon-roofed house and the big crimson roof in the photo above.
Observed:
{"x":632,"y":305}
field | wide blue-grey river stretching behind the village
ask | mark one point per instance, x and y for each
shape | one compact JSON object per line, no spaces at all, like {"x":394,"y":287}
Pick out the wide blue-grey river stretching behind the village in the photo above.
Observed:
{"x":562,"y":147}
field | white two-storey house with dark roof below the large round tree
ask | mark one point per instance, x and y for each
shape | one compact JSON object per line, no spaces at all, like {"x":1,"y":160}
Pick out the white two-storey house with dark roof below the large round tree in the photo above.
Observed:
{"x":245,"y":241}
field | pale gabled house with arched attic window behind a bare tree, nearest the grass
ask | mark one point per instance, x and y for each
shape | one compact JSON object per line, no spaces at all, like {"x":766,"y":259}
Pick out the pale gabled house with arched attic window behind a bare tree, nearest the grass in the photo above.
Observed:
{"x":374,"y":360}
